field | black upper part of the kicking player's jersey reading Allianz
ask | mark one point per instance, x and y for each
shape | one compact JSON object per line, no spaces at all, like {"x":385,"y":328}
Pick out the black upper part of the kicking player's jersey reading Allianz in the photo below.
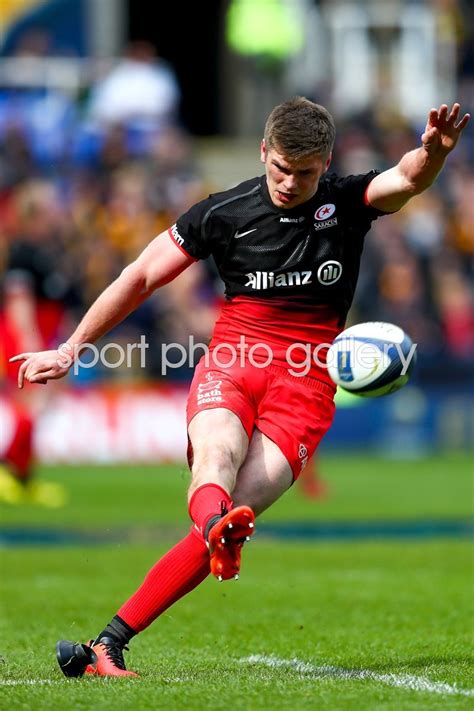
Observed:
{"x":312,"y":250}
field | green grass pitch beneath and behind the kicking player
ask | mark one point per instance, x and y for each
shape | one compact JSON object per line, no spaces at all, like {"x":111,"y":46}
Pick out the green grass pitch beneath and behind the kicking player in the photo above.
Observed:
{"x":327,"y":624}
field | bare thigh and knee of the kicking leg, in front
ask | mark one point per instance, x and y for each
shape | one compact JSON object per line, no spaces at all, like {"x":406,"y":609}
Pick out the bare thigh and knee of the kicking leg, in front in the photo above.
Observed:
{"x":219,"y":445}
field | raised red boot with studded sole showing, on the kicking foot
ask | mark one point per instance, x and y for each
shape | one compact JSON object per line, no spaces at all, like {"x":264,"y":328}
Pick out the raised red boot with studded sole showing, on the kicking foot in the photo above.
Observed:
{"x":226,"y":539}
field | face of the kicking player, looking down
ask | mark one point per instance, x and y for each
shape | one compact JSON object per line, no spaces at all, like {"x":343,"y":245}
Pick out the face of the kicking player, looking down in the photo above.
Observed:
{"x":292,"y":182}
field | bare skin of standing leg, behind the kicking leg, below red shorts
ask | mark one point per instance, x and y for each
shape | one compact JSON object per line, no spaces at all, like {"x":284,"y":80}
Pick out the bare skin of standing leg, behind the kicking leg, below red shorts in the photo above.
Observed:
{"x":264,"y":476}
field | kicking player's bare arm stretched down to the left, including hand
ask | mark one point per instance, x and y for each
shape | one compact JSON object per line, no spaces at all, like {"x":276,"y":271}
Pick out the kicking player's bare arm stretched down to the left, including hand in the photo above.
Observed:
{"x":159,"y":263}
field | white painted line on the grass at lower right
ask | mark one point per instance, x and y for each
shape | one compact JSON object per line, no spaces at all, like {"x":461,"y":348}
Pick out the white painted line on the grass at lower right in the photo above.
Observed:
{"x":401,"y":681}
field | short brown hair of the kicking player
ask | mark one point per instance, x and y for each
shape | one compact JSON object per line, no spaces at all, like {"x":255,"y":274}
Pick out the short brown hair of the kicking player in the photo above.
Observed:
{"x":299,"y":128}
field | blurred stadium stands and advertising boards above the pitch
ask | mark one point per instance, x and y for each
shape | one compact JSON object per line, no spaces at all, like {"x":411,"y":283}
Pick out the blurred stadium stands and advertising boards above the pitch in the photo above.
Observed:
{"x":106,"y":169}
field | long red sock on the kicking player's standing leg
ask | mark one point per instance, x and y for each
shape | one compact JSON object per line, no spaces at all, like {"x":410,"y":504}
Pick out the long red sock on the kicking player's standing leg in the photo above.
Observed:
{"x":177,"y":573}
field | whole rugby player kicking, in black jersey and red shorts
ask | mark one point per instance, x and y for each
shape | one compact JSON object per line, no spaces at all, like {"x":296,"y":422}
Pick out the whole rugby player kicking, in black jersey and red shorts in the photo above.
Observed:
{"x":287,"y":246}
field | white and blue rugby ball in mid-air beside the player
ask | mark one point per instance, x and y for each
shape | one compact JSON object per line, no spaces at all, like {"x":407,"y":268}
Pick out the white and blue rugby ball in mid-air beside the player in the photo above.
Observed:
{"x":371,"y":359}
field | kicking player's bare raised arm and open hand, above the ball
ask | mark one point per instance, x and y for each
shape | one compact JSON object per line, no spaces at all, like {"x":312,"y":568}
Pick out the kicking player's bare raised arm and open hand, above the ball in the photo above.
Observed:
{"x":418,"y":169}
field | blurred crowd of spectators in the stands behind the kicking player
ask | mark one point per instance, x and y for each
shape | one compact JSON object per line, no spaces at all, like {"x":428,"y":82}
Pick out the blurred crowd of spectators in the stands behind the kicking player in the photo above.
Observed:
{"x":84,"y":187}
